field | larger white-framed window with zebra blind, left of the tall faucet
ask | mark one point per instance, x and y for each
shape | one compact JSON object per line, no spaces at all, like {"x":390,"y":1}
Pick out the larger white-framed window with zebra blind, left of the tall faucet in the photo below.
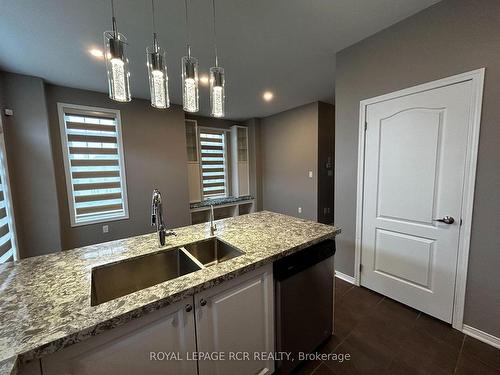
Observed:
{"x":93,"y":160}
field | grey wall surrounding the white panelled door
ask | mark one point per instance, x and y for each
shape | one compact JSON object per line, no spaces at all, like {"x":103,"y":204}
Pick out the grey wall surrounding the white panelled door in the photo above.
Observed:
{"x":451,"y":37}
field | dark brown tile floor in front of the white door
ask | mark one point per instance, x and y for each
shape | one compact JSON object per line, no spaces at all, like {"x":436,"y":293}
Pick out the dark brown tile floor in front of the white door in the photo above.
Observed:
{"x":385,"y":337}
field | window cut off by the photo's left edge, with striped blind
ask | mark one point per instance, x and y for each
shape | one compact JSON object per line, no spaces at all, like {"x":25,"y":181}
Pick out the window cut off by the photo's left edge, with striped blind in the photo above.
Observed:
{"x":8,"y":245}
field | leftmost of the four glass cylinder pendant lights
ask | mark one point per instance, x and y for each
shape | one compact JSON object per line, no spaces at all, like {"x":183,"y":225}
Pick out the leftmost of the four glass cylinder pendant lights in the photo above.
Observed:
{"x":116,"y":63}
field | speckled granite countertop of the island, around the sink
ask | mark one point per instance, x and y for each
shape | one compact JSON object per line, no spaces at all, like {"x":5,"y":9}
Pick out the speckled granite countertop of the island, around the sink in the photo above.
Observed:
{"x":45,"y":300}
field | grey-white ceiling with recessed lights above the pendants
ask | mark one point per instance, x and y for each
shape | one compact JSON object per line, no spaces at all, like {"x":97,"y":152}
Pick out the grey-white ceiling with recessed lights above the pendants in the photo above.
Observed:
{"x":285,"y":46}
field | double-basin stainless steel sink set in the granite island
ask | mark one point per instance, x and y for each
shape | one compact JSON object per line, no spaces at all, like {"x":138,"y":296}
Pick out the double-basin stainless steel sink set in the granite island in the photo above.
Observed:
{"x":115,"y":280}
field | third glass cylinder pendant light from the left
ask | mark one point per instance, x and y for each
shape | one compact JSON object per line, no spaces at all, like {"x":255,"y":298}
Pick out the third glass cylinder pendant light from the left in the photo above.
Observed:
{"x":190,"y":98}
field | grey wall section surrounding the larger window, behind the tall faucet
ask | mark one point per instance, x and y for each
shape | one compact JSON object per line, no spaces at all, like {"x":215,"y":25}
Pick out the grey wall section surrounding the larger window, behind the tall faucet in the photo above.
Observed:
{"x":155,"y":157}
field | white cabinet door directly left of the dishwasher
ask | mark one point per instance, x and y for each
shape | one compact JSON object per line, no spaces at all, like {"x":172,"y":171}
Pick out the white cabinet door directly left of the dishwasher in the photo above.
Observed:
{"x":238,"y":317}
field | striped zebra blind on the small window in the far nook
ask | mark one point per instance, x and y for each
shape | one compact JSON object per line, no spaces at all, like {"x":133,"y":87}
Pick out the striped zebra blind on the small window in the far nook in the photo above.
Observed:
{"x":213,"y":163}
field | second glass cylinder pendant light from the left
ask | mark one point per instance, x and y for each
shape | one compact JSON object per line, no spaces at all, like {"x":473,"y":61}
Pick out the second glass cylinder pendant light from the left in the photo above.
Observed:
{"x":157,"y":70}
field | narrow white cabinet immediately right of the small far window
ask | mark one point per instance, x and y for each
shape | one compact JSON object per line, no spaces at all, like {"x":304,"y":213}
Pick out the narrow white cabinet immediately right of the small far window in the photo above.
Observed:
{"x":240,"y":170}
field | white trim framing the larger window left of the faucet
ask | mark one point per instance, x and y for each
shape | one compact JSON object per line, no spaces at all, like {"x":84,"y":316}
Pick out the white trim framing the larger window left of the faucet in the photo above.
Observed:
{"x":67,"y":169}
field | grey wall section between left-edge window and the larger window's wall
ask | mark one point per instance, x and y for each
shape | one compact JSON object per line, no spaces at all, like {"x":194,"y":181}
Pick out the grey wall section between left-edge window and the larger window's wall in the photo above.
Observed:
{"x":31,"y":168}
